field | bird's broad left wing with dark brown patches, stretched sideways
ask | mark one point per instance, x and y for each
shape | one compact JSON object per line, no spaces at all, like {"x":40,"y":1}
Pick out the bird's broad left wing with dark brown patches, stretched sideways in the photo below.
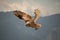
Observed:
{"x":22,"y":15}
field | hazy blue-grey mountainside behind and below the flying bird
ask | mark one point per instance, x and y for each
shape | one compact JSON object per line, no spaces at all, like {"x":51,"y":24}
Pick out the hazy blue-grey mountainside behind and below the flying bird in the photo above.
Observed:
{"x":12,"y":28}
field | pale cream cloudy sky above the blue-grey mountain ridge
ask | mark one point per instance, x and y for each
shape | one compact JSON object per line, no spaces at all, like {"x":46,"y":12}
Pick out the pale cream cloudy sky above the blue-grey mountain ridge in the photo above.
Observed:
{"x":47,"y":7}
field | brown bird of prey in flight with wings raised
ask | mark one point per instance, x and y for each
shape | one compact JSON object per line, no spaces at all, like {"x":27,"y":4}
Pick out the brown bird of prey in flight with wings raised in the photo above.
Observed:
{"x":29,"y":21}
